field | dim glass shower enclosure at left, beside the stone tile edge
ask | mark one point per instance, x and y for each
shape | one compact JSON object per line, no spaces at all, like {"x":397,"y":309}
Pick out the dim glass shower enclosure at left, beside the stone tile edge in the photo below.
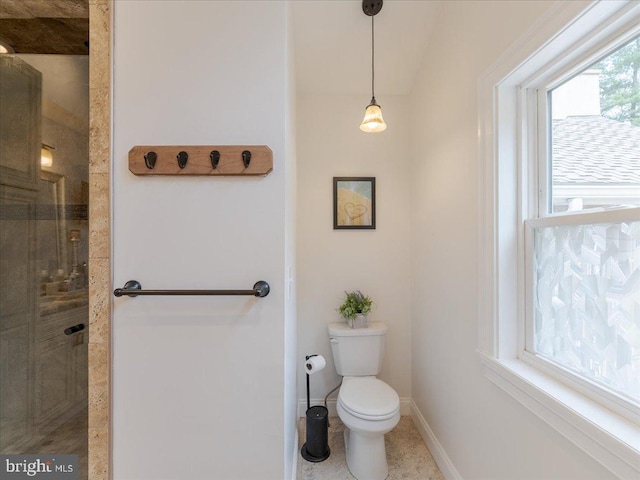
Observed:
{"x":44,"y":170}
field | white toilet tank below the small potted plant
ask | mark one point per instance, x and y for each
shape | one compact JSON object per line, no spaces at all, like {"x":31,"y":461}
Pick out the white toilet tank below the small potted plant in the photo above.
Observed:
{"x":357,"y":352}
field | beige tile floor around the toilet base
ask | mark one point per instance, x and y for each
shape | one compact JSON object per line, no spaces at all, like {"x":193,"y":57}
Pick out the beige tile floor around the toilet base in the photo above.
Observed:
{"x":407,"y":455}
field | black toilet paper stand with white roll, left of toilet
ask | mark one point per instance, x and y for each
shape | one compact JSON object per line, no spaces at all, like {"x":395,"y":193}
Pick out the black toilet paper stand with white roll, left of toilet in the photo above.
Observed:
{"x":316,"y":448}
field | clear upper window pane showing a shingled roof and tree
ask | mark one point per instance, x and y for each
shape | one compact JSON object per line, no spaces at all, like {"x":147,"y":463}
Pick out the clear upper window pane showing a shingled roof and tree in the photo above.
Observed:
{"x":595,"y":134}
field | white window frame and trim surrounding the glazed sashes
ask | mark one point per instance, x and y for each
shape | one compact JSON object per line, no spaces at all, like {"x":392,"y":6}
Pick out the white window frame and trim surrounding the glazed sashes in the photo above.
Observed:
{"x":564,"y":40}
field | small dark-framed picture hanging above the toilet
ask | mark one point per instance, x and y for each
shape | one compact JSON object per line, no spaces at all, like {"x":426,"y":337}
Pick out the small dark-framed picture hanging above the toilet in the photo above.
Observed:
{"x":354,"y":202}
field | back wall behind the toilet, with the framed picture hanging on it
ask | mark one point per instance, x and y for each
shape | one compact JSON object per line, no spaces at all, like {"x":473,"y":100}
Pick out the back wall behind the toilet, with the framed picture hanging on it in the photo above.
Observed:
{"x":378,"y":262}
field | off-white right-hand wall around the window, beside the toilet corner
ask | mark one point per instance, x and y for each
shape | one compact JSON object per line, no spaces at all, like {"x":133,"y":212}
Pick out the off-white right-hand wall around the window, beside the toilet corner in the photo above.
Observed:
{"x":485,"y":433}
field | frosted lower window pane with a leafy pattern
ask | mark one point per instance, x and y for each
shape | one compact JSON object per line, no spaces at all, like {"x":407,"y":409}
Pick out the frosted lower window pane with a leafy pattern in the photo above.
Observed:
{"x":587,"y":302}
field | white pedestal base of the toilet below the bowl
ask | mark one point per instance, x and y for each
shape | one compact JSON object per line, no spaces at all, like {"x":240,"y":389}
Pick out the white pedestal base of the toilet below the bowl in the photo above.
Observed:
{"x":366,"y":455}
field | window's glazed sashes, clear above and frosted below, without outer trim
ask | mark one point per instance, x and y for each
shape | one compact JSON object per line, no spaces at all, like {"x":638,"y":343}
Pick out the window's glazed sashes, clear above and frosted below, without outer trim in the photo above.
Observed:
{"x":583,"y":242}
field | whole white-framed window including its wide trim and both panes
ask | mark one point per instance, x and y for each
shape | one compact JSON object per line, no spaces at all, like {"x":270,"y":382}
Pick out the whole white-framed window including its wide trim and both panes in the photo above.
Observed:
{"x":559,"y":225}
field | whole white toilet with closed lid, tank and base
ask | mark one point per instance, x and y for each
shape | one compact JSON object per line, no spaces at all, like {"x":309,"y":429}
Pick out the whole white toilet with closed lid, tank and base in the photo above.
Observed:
{"x":367,"y":406}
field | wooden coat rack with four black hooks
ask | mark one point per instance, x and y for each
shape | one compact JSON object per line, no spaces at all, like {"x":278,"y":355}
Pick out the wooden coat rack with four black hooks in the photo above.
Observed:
{"x":201,"y":160}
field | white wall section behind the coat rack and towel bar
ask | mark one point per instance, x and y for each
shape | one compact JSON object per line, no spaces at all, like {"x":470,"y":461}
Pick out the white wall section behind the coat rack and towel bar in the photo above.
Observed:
{"x":199,"y":386}
